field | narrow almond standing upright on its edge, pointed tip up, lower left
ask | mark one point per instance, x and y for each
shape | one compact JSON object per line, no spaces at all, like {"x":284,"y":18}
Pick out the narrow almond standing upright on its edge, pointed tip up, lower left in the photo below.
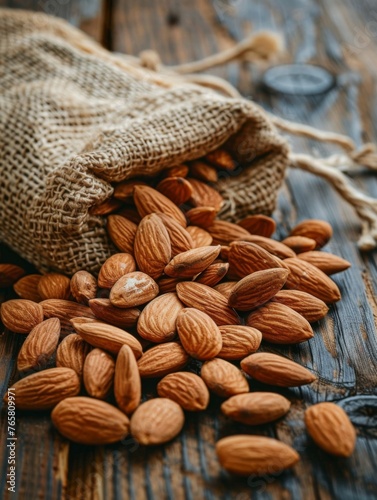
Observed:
{"x":127,"y":383}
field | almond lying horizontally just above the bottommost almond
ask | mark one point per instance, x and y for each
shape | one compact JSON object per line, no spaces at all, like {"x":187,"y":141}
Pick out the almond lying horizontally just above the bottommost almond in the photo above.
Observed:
{"x":256,"y":408}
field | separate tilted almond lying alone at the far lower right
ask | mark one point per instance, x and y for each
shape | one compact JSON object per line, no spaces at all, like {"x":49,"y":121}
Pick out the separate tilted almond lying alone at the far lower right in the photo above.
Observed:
{"x":331,"y":429}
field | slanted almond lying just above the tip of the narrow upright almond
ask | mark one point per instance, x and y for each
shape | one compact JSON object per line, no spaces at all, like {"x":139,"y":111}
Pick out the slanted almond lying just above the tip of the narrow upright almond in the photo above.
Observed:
{"x":107,"y":337}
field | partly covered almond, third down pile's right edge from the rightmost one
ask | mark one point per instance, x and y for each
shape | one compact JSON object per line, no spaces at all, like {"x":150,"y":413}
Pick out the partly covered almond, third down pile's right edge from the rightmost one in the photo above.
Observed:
{"x":311,"y":308}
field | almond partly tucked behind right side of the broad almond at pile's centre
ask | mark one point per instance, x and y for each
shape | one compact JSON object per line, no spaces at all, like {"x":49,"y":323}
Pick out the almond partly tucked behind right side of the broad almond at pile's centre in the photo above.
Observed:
{"x":238,"y":341}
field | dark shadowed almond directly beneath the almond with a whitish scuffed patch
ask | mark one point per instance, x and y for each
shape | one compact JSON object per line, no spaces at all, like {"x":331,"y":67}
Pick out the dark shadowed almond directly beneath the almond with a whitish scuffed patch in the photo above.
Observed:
{"x":105,"y":311}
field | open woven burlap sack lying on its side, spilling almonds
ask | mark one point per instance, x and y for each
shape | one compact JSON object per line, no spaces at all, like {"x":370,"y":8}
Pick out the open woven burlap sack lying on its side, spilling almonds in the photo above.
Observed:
{"x":75,"y":118}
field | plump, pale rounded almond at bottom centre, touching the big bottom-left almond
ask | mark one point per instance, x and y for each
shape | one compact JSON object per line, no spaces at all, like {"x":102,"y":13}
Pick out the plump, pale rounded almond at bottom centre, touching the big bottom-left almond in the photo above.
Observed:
{"x":157,"y":421}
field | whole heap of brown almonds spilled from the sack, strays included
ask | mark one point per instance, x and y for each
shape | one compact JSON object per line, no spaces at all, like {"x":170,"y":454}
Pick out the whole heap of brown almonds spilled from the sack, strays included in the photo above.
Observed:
{"x":184,"y":285}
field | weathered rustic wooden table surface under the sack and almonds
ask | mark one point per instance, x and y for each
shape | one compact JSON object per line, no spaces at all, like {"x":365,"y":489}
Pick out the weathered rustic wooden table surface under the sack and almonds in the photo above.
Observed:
{"x":342,"y":36}
